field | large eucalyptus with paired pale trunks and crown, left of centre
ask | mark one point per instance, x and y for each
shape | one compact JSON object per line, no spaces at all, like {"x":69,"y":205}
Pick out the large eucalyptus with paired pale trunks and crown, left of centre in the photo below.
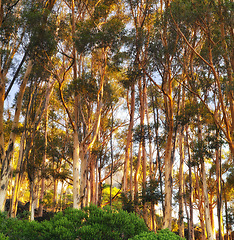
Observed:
{"x":97,"y":31}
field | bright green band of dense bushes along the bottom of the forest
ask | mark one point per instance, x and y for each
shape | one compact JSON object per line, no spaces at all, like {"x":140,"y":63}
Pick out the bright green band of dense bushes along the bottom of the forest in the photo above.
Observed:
{"x":91,"y":223}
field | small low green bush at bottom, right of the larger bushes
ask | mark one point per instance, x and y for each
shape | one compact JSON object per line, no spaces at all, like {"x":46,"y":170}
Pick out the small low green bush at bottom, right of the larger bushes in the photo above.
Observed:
{"x":164,"y":234}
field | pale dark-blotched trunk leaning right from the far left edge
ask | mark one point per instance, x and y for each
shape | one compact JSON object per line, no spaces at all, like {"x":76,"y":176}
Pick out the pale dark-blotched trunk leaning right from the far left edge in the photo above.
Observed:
{"x":7,"y":157}
